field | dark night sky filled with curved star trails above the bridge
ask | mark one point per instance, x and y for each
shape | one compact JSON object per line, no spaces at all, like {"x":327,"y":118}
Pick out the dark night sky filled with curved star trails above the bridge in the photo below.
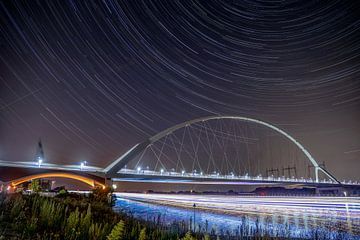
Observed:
{"x":92,"y":78}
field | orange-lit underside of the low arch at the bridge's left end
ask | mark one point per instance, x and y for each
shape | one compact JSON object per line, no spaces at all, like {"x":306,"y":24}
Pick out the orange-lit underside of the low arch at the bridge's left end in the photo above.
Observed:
{"x":83,"y":179}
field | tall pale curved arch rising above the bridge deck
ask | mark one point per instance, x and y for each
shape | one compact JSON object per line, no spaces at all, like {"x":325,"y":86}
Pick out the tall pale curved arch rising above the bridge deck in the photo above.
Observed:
{"x":113,"y":169}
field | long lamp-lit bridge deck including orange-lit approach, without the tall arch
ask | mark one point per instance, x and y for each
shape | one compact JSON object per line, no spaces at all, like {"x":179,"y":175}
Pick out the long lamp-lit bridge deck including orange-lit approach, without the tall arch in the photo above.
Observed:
{"x":13,"y":174}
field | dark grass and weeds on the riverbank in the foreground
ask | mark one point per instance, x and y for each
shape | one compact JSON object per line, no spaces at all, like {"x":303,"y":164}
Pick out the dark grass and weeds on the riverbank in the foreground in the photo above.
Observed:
{"x":76,"y":217}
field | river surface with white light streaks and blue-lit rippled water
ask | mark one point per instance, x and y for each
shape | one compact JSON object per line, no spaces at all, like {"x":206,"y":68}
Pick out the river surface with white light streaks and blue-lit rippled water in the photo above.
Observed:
{"x":304,"y":213}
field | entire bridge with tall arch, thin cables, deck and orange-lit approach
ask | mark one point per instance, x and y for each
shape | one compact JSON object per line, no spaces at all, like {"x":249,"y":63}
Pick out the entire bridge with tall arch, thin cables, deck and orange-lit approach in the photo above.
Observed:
{"x":14,"y":173}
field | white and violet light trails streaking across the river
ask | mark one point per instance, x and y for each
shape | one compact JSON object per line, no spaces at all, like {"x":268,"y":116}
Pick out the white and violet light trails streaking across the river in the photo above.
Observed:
{"x":317,"y":211}
